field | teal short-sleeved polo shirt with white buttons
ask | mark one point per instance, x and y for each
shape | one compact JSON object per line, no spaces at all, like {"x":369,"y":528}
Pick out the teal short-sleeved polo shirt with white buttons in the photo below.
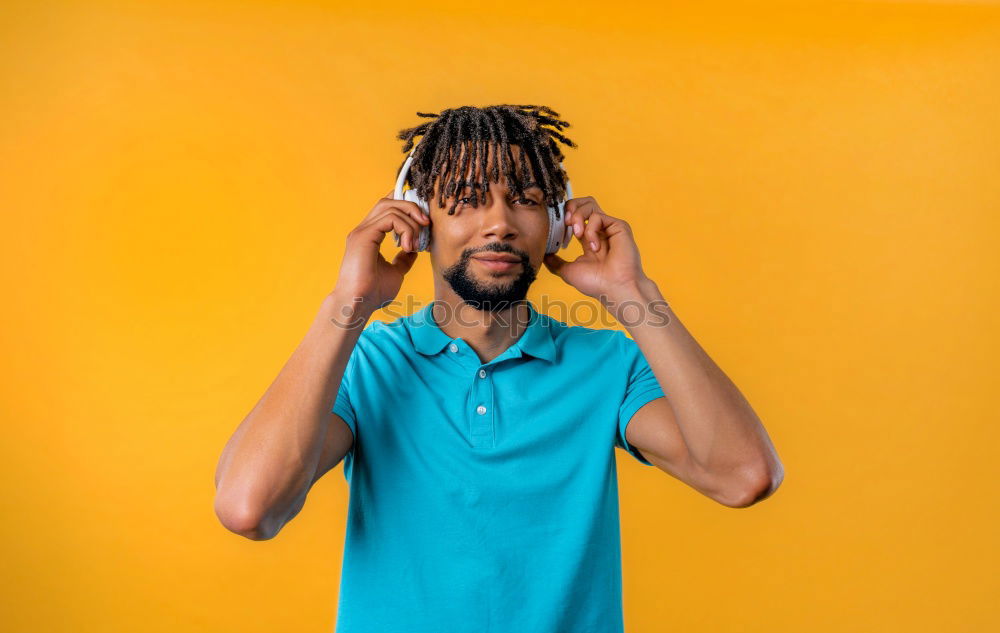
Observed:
{"x":484,"y":496}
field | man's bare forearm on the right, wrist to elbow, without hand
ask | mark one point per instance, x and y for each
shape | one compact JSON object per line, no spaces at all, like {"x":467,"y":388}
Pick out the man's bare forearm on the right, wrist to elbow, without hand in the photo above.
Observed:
{"x":720,"y":429}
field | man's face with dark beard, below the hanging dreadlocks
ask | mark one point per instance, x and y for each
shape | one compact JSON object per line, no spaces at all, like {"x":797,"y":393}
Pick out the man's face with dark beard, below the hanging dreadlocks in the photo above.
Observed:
{"x":467,"y":244}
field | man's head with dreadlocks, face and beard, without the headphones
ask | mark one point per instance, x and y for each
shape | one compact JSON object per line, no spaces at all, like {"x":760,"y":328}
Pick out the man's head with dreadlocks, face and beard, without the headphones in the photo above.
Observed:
{"x":489,"y":174}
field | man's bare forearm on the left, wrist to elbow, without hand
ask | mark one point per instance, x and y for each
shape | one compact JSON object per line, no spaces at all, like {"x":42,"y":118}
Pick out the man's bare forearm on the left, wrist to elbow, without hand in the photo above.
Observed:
{"x":270,"y":461}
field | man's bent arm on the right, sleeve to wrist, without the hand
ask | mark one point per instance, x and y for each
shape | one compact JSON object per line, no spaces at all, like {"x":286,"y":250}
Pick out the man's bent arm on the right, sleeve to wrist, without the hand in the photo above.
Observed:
{"x":704,"y":432}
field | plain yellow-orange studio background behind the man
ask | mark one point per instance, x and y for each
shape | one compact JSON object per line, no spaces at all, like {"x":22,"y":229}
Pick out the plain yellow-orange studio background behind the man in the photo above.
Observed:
{"x":814,"y":187}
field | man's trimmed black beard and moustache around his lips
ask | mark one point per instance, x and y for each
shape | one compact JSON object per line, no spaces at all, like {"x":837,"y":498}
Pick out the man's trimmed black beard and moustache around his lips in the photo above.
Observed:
{"x":498,"y":294}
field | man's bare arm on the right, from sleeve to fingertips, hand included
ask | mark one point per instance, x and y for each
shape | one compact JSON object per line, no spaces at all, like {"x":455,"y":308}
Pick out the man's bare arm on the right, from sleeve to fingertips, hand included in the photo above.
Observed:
{"x":703,"y":432}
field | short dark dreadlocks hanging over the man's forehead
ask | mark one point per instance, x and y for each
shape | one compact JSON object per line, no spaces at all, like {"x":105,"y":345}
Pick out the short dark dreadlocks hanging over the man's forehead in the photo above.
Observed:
{"x":458,"y":136}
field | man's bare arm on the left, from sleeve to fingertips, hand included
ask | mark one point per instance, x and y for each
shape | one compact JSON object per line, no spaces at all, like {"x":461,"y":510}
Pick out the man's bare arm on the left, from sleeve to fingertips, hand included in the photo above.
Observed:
{"x":291,"y":437}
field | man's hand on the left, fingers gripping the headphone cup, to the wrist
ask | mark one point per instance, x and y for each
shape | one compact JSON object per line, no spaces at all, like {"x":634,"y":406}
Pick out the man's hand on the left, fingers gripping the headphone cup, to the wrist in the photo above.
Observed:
{"x":365,"y":274}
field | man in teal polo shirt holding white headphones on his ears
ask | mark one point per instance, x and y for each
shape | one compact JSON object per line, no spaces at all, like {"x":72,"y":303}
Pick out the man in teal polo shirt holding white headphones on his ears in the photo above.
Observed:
{"x":478,"y":434}
